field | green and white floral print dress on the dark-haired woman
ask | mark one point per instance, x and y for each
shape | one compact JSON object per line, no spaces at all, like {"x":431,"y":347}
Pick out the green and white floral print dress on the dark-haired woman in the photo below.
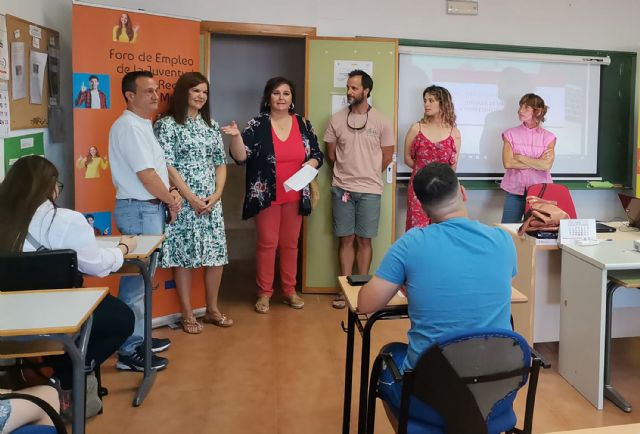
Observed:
{"x":194,"y":150}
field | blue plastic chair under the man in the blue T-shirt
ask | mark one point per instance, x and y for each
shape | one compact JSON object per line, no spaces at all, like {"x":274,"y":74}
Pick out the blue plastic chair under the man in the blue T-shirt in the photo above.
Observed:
{"x":464,"y":384}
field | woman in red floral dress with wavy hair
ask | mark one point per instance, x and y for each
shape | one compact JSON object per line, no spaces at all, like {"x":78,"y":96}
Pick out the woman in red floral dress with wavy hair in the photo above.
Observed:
{"x":433,"y":139}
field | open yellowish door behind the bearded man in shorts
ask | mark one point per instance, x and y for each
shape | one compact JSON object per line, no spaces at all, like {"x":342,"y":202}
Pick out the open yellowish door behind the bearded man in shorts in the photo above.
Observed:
{"x":326,"y":60}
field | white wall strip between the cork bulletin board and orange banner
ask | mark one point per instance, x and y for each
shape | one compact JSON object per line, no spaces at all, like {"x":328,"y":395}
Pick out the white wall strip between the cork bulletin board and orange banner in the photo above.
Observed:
{"x":55,"y":14}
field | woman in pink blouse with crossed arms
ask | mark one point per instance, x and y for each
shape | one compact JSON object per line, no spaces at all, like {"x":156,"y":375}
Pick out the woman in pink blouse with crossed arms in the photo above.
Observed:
{"x":527,"y":156}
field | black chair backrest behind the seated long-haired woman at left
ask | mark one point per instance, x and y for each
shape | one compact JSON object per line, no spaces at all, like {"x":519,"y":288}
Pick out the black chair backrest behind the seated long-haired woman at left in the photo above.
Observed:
{"x":46,"y":269}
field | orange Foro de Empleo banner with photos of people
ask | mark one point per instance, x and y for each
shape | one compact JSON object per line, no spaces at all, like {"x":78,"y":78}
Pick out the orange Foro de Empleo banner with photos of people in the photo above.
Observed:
{"x":108,"y":43}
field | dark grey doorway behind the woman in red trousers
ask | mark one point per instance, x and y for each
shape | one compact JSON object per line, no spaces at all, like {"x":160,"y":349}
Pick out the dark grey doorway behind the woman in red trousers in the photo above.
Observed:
{"x":240,"y":65}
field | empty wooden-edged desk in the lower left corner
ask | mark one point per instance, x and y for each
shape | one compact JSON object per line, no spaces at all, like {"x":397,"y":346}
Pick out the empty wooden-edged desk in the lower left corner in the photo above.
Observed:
{"x":31,"y":320}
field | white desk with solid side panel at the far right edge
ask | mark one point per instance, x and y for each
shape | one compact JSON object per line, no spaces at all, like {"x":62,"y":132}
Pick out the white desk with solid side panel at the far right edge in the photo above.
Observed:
{"x":585,"y":316}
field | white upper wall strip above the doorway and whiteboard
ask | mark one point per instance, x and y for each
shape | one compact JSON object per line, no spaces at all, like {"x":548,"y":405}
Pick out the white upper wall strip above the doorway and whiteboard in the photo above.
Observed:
{"x":587,"y":24}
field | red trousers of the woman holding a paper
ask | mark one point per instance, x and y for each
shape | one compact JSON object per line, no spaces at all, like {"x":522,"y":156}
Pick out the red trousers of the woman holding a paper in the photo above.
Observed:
{"x":278,"y":228}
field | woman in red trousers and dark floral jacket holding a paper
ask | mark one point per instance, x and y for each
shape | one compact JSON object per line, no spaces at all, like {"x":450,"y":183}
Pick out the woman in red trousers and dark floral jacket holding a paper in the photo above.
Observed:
{"x":274,"y":146}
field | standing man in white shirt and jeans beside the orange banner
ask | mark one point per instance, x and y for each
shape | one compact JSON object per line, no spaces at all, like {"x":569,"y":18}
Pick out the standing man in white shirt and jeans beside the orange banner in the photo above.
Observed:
{"x":140,"y":176}
